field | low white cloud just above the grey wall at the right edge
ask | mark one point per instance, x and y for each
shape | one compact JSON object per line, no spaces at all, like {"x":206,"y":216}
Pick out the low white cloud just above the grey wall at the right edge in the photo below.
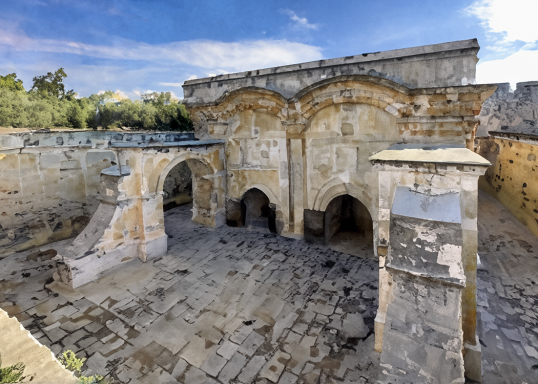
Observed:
{"x":518,"y":67}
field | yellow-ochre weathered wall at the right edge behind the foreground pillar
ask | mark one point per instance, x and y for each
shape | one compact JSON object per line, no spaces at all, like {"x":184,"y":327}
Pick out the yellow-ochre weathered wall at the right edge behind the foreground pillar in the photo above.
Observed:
{"x":512,"y":178}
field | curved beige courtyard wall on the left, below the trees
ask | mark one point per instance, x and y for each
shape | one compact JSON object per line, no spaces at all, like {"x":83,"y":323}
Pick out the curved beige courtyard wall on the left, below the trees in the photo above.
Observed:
{"x":48,"y":194}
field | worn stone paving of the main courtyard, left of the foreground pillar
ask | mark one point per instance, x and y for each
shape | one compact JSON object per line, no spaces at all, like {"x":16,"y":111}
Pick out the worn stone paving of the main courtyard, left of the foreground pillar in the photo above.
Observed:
{"x":225,"y":305}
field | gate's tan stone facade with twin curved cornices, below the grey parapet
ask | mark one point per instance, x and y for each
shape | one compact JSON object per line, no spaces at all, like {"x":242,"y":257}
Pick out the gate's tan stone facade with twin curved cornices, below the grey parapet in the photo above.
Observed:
{"x":305,"y":151}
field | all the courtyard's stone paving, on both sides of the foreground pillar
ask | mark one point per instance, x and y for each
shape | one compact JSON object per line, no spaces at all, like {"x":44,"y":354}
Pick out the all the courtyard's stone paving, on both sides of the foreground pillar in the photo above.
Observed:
{"x":222,"y":277}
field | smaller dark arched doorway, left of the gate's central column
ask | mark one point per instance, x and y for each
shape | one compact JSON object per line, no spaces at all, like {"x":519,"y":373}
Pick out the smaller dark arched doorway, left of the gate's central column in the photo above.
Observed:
{"x":257,"y":212}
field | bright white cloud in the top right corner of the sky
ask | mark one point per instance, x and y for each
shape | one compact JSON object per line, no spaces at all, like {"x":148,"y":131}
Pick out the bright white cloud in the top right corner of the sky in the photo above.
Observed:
{"x":507,"y":21}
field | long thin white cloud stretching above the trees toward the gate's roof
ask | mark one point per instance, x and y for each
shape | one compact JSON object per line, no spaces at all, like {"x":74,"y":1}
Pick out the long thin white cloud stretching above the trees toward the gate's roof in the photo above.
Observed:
{"x":209,"y":54}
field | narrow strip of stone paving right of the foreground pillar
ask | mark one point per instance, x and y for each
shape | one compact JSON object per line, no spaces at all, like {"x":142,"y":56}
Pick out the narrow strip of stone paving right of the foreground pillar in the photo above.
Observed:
{"x":507,"y":296}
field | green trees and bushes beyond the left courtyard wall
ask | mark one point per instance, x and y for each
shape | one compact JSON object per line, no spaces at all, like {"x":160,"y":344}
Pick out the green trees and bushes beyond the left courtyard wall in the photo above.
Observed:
{"x":48,"y":105}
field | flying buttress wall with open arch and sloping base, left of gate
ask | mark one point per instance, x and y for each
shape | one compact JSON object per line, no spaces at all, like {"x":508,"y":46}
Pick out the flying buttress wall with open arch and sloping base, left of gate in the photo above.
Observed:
{"x":129,"y":222}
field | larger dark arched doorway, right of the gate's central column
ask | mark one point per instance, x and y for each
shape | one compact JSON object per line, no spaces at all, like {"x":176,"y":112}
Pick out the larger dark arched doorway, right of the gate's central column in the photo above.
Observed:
{"x":348,"y":226}
